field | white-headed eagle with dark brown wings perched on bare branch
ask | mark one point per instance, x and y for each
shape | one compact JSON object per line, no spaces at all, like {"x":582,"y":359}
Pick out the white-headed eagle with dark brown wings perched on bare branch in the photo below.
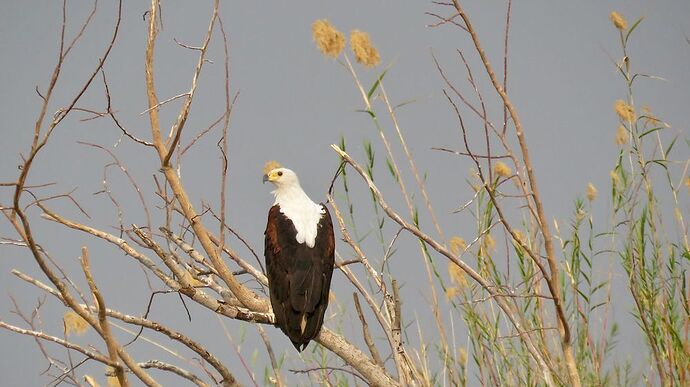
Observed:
{"x":299,"y":251}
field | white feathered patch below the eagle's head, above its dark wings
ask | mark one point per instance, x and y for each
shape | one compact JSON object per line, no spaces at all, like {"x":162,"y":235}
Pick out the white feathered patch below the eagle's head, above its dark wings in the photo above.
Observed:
{"x":304,"y":214}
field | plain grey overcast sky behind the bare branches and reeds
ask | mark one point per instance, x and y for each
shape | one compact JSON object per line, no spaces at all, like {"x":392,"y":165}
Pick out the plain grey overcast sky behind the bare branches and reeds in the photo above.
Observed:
{"x":293,"y":103}
